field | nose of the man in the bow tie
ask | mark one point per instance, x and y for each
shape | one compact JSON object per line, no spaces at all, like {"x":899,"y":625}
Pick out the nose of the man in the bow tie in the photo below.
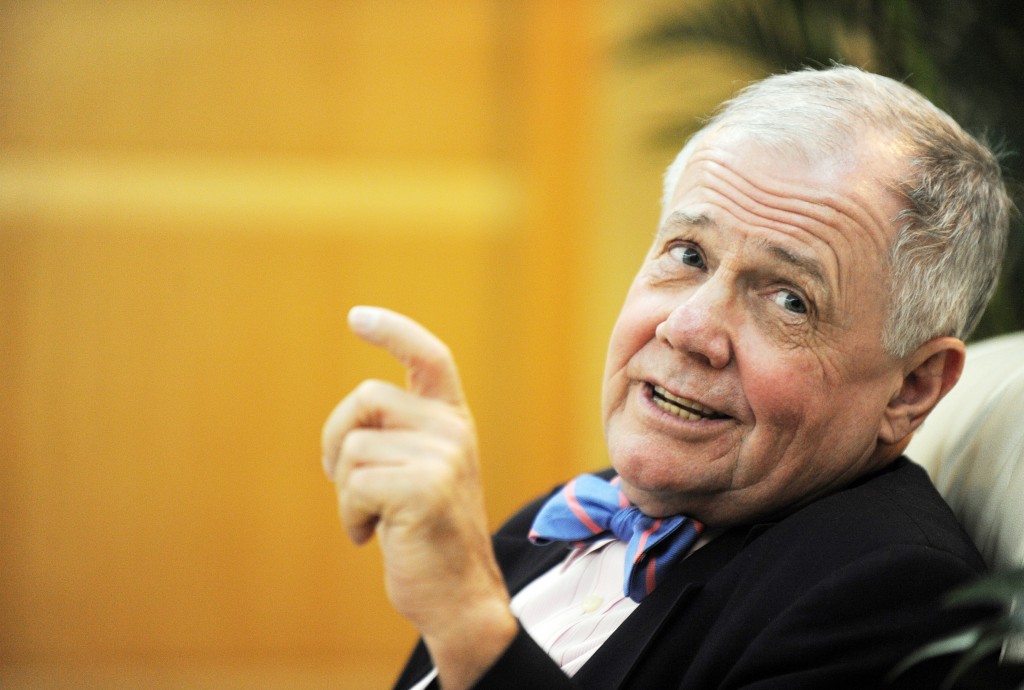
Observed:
{"x":699,"y":326}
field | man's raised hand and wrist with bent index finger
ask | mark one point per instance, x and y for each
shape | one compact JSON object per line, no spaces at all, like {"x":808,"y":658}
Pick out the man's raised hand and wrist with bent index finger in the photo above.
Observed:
{"x":405,"y":465}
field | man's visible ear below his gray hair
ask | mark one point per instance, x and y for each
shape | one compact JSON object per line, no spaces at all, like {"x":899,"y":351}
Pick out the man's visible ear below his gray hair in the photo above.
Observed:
{"x":929,"y":374}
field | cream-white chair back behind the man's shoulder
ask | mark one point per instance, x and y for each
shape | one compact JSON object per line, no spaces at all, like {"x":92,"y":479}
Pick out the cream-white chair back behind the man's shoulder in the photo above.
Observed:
{"x":973,"y":448}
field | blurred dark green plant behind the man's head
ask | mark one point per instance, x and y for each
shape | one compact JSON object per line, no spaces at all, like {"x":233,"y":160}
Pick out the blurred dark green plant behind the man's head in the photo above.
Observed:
{"x":965,"y":56}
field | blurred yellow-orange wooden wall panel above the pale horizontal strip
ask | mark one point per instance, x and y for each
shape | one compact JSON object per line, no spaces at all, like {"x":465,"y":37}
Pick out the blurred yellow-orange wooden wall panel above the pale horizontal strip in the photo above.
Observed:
{"x":313,"y":78}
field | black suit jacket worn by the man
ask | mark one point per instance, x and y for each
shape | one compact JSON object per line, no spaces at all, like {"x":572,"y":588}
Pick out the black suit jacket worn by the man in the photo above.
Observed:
{"x":831,"y":596}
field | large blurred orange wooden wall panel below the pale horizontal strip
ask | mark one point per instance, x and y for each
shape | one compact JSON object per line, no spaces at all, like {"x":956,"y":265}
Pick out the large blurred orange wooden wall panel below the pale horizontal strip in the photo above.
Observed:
{"x":165,"y":400}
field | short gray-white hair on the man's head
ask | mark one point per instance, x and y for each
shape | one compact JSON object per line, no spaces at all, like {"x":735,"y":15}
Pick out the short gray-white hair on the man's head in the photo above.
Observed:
{"x":951,"y":239}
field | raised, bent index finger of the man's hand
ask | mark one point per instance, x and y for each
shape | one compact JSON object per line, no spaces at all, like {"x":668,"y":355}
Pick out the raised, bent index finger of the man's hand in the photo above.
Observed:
{"x":432,"y":370}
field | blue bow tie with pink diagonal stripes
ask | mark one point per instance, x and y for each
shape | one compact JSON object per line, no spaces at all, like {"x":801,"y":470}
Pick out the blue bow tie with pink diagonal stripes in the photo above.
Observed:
{"x":589,"y":508}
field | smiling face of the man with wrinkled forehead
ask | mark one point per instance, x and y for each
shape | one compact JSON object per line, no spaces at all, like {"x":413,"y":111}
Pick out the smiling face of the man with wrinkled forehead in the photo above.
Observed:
{"x":746,"y":373}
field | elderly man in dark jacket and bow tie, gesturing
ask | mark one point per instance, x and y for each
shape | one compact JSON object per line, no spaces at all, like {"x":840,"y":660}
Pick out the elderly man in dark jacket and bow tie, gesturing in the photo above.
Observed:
{"x":827,"y":243}
